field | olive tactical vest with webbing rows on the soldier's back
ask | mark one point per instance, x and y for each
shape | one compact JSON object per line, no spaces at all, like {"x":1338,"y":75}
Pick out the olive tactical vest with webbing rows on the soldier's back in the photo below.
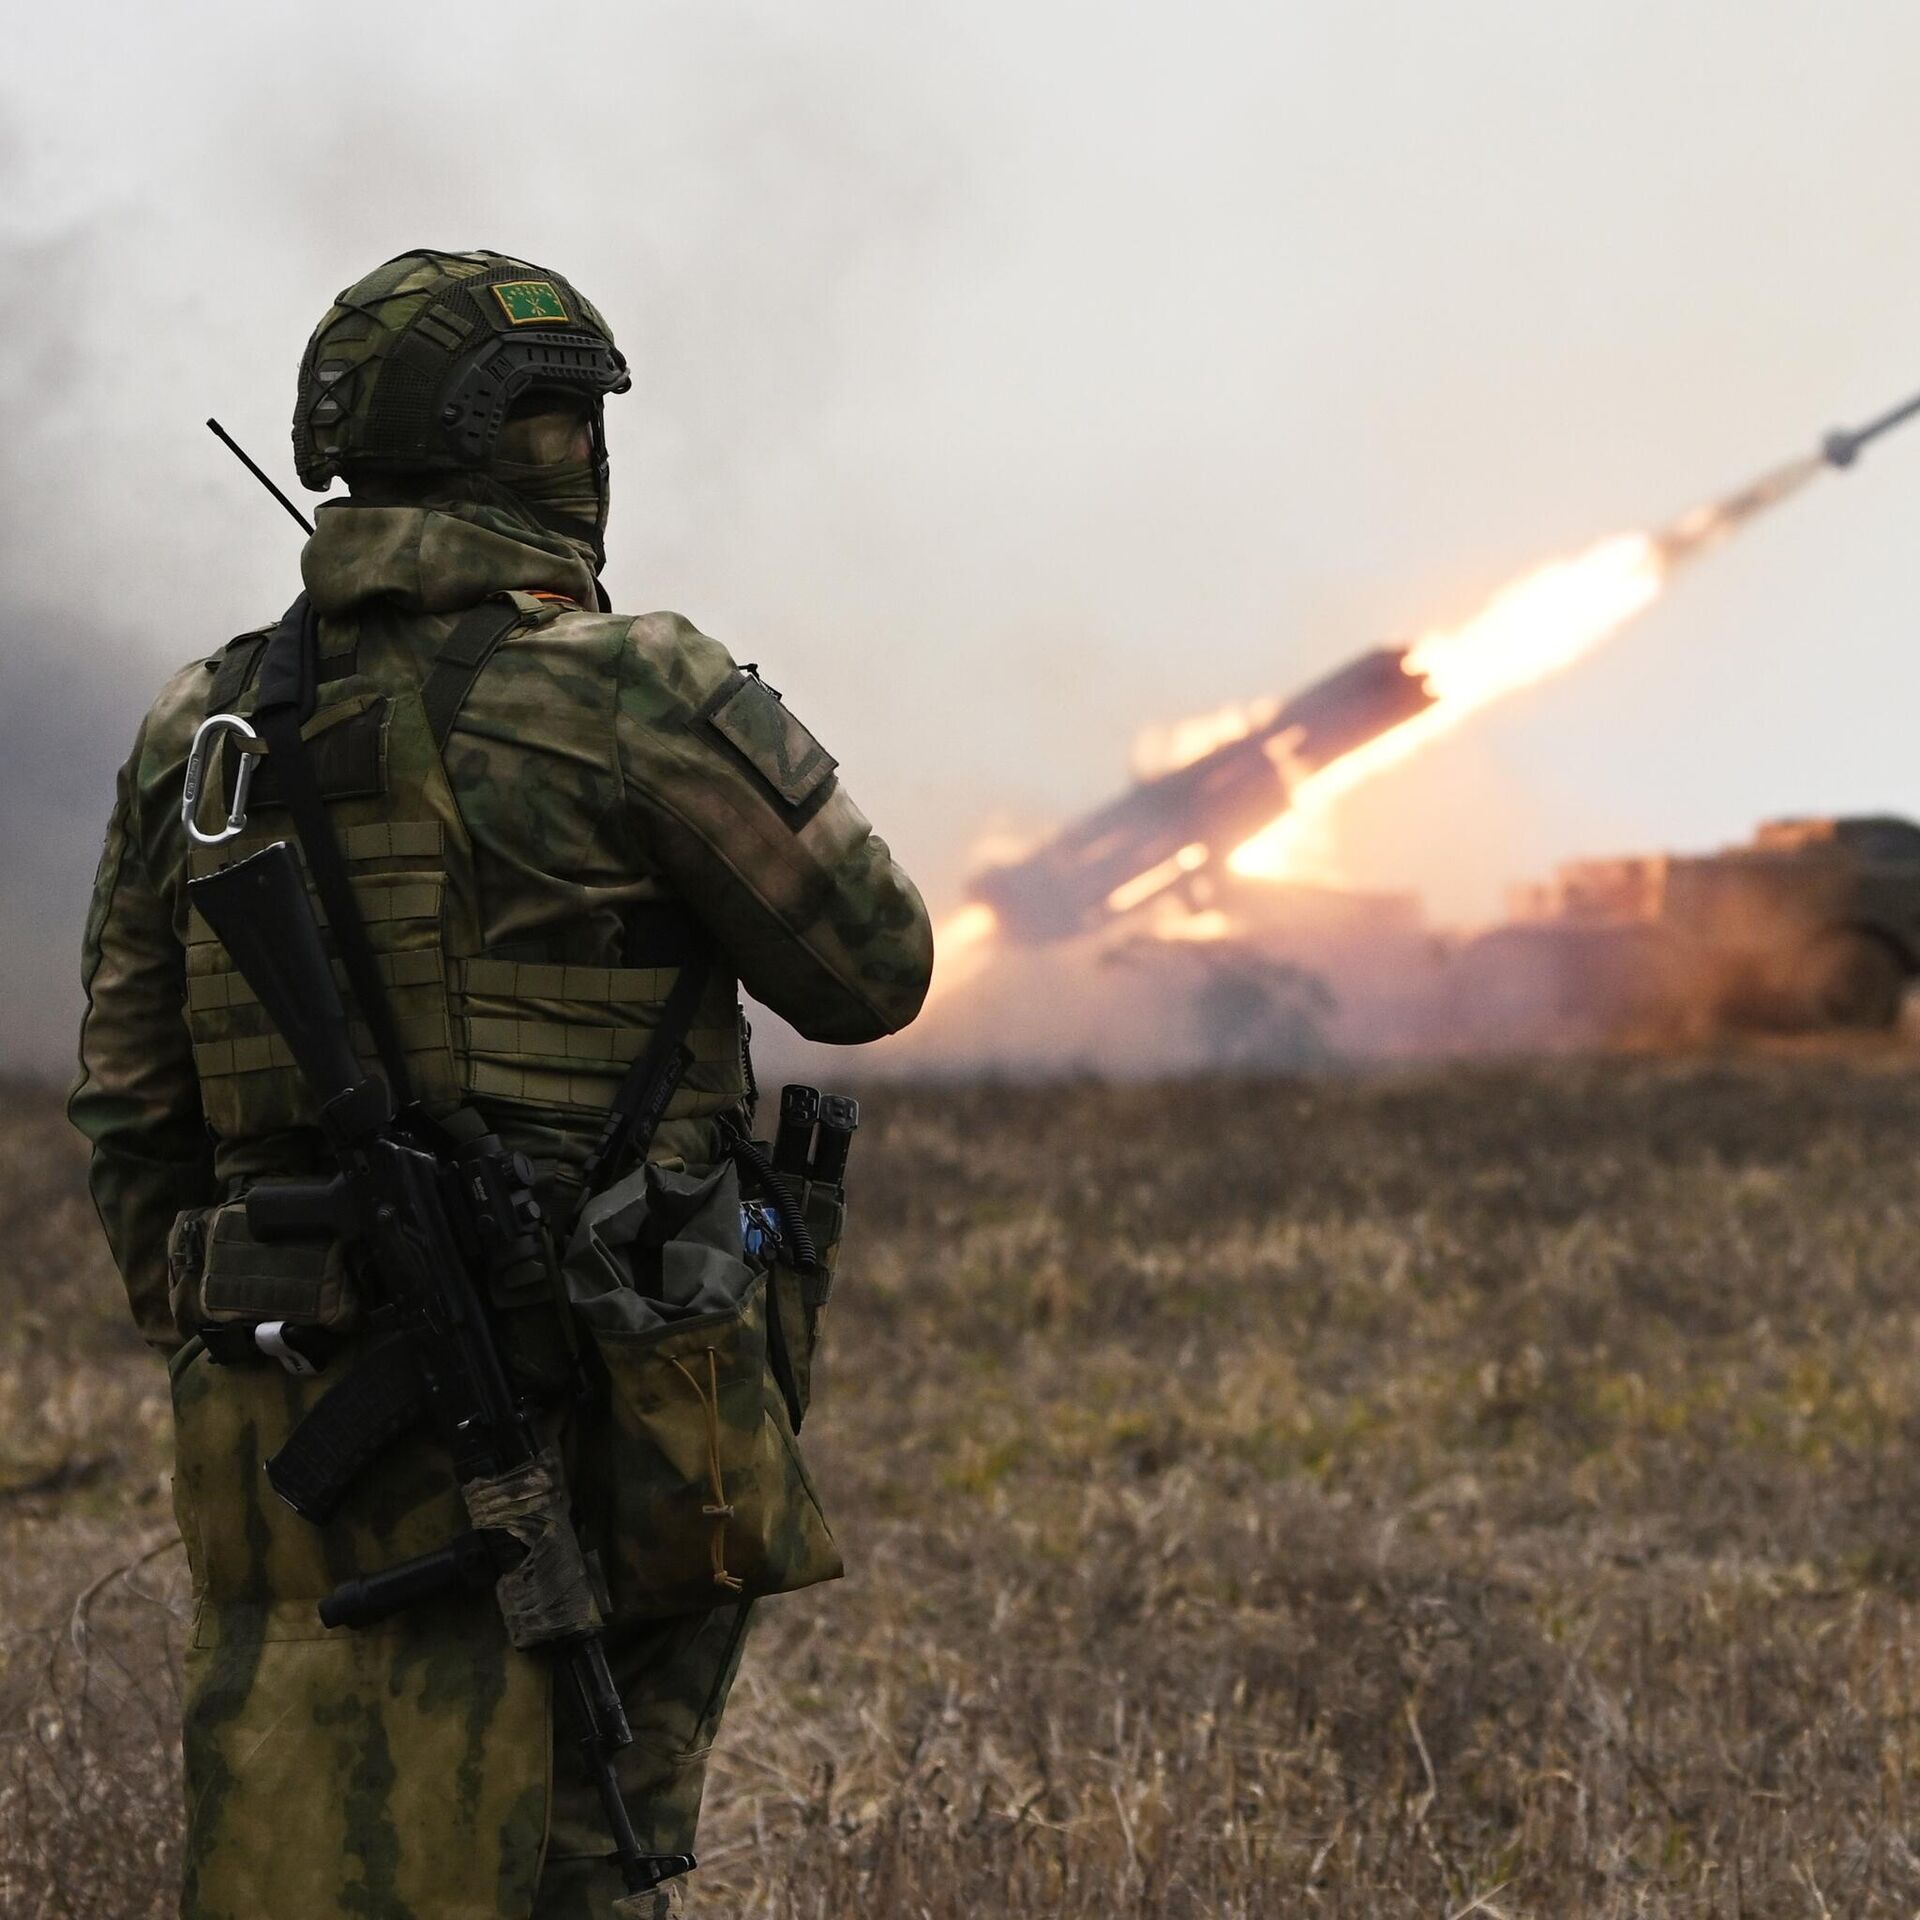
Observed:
{"x":535,"y":1042}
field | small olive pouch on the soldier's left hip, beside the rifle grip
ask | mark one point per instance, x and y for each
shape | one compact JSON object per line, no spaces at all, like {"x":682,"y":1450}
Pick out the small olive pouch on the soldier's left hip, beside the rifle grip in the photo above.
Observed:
{"x":222,"y":1276}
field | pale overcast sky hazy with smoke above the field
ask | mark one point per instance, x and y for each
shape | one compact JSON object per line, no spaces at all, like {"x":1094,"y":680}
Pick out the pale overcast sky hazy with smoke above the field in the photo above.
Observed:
{"x":1013,"y":377}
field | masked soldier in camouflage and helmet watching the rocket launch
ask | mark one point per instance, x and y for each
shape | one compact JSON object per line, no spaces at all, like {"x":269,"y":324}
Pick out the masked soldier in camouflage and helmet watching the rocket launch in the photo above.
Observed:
{"x":548,"y":813}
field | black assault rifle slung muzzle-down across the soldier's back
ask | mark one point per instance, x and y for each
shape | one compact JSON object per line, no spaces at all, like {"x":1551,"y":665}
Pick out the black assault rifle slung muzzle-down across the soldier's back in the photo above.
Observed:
{"x":446,"y":1226}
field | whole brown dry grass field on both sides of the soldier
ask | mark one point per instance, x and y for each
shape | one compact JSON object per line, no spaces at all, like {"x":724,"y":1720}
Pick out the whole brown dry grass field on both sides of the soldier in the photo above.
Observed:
{"x":1474,"y":1491}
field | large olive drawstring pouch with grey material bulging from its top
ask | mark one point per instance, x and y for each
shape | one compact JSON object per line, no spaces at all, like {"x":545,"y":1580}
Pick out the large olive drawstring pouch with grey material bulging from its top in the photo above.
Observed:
{"x":686,"y":1470}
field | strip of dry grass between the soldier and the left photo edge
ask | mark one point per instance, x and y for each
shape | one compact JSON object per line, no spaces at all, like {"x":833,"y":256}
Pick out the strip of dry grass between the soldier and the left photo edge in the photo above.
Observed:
{"x":89,"y":1568}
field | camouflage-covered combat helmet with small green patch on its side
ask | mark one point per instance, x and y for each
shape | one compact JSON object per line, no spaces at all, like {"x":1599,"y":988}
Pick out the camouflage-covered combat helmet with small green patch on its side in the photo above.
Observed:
{"x":416,"y":368}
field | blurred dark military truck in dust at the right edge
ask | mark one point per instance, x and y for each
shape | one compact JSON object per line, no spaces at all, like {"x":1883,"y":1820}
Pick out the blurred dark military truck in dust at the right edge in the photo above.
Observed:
{"x":1813,"y":924}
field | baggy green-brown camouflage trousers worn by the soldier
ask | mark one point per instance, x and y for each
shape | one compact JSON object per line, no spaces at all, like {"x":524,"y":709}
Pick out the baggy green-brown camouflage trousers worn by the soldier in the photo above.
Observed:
{"x":414,"y":1771}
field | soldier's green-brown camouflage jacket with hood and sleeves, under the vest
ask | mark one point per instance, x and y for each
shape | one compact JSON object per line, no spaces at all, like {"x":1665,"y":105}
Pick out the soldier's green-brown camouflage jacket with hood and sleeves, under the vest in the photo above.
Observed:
{"x":588,"y":790}
